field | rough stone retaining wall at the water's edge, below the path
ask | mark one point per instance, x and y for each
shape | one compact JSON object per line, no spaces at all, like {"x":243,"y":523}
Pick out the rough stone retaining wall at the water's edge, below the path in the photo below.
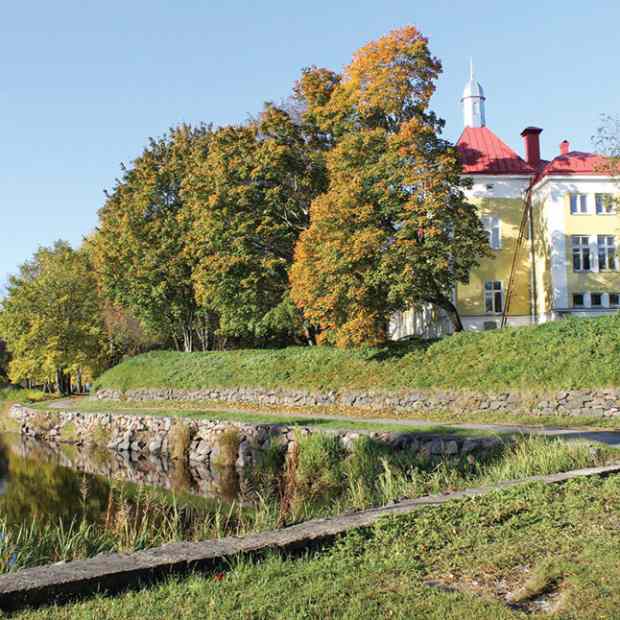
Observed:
{"x":211,"y":442}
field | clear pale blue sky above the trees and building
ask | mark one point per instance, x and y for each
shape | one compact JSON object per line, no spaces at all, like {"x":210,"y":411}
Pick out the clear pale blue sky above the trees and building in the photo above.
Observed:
{"x":83,"y":83}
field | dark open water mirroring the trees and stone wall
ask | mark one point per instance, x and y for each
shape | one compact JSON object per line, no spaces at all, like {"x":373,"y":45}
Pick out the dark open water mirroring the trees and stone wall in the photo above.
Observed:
{"x":50,"y":483}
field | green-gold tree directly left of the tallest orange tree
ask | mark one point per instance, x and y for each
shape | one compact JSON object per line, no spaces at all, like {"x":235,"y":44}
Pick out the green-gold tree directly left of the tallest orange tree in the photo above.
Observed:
{"x":250,"y":200}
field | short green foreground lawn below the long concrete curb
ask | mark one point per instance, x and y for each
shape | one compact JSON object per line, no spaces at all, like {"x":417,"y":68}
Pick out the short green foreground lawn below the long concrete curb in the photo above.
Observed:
{"x":487,"y":558}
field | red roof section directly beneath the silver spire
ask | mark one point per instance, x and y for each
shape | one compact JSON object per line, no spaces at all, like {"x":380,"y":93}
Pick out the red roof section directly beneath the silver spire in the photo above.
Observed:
{"x":482,"y":152}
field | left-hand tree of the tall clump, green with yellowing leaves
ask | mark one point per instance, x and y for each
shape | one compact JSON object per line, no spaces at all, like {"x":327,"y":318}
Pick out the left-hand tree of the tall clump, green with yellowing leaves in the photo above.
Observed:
{"x":140,"y":248}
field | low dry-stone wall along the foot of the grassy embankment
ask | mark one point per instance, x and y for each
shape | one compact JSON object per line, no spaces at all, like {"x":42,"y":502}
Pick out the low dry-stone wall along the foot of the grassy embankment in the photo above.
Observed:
{"x":596,"y":403}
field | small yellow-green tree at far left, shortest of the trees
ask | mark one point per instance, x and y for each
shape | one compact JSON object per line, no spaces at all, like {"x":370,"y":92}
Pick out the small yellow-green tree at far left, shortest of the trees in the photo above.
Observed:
{"x":51,"y":319}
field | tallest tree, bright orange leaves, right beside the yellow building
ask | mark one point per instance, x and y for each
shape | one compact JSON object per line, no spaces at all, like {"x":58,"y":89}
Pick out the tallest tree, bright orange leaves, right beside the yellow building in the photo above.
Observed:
{"x":393,"y":228}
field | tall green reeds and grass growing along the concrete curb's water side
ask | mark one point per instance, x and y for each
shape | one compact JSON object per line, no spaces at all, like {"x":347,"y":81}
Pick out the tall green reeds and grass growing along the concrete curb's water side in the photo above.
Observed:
{"x":318,"y":479}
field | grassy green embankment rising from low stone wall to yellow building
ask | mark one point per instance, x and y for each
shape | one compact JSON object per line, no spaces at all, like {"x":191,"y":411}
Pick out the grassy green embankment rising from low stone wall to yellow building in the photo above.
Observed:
{"x":572,"y":353}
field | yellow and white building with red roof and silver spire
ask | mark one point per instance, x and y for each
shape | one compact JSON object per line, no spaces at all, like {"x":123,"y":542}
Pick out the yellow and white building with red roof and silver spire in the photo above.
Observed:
{"x":566,"y":263}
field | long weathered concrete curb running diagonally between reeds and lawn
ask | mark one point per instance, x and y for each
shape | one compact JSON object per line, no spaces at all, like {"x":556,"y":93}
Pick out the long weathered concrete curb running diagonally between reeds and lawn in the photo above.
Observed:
{"x":115,"y":572}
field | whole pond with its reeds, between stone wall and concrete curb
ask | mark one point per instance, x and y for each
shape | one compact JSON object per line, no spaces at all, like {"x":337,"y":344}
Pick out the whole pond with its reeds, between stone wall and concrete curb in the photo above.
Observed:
{"x":61,"y":502}
